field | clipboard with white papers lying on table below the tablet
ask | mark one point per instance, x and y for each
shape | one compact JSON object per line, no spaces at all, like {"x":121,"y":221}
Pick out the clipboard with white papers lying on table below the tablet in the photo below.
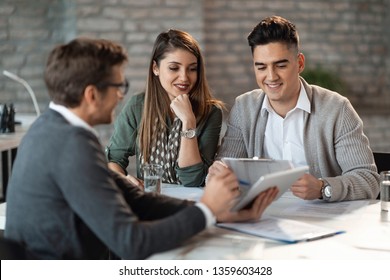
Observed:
{"x":285,"y":230}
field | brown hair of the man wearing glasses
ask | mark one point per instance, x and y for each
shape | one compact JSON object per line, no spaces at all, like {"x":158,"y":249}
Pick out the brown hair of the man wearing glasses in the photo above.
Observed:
{"x":72,"y":67}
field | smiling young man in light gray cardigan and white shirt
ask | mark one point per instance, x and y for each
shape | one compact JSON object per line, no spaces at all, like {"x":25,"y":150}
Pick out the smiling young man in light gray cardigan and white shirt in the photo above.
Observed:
{"x":289,"y":119}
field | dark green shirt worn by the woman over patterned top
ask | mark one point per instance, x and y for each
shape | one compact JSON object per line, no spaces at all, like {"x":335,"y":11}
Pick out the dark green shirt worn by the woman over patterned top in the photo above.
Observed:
{"x":124,"y":141}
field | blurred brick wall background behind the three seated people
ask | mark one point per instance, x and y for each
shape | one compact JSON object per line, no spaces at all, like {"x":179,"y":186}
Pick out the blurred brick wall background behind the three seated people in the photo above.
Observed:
{"x":346,"y":44}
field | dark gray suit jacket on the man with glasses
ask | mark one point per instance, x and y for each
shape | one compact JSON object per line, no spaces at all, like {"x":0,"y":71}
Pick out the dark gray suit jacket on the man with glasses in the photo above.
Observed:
{"x":64,"y":203}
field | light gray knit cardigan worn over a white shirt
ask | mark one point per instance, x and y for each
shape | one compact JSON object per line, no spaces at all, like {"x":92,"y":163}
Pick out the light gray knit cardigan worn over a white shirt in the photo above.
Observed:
{"x":335,"y":146}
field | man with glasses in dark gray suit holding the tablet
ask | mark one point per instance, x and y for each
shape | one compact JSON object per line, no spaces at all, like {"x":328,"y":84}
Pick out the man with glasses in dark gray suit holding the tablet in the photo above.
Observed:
{"x":64,"y":203}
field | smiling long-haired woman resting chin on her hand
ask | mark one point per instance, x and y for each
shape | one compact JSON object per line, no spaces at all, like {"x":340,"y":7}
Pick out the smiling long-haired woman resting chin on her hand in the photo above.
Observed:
{"x":176,"y":122}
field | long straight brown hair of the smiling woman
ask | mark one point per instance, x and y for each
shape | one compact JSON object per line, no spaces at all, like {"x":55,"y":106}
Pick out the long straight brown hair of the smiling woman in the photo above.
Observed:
{"x":157,"y":102}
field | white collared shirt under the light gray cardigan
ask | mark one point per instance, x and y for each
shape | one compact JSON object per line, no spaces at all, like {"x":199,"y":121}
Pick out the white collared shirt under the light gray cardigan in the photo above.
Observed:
{"x":284,"y":136}
